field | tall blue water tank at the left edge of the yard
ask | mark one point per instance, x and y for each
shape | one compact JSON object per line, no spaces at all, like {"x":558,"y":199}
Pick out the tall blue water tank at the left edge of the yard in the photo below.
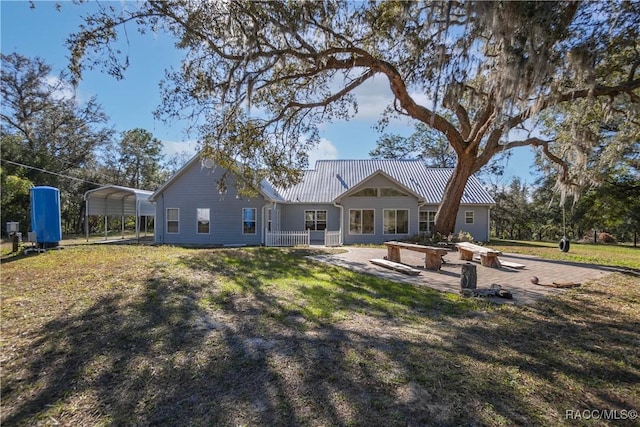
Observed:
{"x":45,"y":215}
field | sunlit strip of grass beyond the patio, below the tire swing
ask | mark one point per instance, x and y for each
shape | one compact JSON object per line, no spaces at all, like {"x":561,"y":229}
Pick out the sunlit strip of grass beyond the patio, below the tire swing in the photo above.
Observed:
{"x":611,"y":255}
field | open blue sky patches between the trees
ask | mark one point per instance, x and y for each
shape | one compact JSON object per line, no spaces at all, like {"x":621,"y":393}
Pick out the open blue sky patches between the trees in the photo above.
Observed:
{"x":130,"y":102}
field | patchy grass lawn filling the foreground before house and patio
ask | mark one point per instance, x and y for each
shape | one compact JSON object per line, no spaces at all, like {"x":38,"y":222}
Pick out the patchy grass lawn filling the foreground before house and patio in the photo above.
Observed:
{"x":101,"y":335}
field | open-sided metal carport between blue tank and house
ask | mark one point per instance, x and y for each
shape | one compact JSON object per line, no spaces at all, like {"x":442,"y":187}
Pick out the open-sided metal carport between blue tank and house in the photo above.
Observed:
{"x":113,"y":200}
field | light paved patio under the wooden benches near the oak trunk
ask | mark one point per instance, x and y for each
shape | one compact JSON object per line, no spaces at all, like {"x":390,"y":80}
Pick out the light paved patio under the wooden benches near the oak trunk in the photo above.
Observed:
{"x":518,"y":282}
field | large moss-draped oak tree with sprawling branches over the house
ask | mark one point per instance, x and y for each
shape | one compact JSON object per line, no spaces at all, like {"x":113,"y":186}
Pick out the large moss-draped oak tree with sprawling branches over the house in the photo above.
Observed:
{"x":262,"y":76}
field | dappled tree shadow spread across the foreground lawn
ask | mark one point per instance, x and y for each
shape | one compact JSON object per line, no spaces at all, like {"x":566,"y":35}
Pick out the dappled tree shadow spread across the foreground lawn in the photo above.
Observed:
{"x":175,"y":354}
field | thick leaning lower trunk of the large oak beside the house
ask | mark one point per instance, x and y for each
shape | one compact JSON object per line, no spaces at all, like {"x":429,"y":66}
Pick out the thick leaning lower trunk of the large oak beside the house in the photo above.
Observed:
{"x":448,"y":210}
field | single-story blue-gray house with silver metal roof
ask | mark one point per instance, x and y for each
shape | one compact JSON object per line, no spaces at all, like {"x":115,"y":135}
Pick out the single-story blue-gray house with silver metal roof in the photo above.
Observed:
{"x":340,"y":201}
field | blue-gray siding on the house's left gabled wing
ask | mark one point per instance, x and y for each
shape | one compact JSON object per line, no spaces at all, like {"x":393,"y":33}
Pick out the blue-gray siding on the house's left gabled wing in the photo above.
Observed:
{"x":196,"y":188}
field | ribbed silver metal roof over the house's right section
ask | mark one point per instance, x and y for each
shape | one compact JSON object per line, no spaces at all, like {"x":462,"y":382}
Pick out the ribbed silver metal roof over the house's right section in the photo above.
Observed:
{"x":332,"y":178}
